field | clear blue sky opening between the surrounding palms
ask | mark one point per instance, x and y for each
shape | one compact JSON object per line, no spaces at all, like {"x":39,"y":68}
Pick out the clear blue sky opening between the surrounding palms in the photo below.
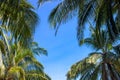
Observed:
{"x":63,"y":49}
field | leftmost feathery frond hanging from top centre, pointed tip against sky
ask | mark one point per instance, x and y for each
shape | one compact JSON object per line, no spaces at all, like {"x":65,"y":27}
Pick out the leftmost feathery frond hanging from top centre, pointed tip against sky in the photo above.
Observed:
{"x":63,"y":12}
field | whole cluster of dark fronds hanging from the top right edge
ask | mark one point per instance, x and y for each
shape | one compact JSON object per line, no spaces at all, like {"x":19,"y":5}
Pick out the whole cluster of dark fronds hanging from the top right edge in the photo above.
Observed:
{"x":97,"y":13}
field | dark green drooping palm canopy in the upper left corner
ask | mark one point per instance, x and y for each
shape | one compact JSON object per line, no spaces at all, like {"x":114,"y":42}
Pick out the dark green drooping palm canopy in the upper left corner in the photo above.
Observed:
{"x":18,"y":18}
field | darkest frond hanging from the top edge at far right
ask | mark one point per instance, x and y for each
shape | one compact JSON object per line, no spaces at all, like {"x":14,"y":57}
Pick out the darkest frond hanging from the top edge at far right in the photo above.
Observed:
{"x":105,"y":16}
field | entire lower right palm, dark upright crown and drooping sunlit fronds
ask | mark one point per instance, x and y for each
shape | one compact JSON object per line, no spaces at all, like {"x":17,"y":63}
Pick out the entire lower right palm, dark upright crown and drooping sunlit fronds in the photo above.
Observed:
{"x":102,"y":64}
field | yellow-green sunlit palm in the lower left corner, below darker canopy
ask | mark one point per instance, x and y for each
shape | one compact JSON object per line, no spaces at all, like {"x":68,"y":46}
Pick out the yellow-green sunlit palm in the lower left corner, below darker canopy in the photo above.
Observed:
{"x":22,"y":64}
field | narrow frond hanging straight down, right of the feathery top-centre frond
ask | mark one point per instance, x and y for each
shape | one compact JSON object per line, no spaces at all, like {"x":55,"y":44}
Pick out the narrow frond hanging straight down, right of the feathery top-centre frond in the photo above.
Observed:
{"x":83,"y":15}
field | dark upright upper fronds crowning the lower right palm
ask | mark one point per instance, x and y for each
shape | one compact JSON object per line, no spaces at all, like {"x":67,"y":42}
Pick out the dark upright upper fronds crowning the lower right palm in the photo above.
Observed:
{"x":99,"y":40}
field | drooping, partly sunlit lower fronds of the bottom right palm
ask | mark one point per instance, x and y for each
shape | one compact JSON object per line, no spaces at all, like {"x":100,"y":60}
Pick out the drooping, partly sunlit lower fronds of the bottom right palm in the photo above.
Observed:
{"x":91,"y":68}
